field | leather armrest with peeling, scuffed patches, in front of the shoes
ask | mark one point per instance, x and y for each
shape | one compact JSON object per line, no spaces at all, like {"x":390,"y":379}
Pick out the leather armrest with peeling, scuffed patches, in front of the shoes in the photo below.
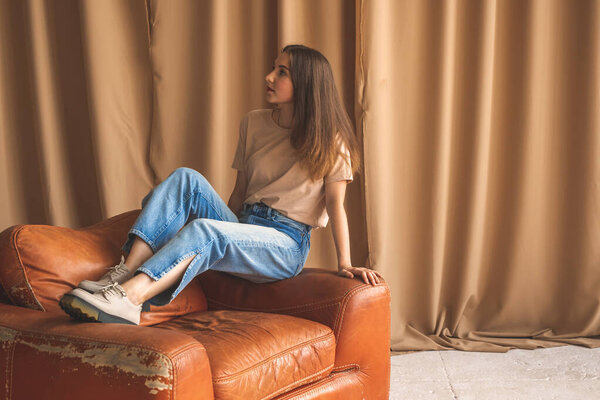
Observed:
{"x":48,"y":355}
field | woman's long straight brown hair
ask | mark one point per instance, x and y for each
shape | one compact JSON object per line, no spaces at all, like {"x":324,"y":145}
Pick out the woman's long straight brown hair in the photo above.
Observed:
{"x":318,"y":114}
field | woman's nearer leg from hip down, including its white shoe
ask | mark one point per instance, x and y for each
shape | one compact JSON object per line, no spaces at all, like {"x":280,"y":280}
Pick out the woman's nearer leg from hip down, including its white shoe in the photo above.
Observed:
{"x":254,"y":252}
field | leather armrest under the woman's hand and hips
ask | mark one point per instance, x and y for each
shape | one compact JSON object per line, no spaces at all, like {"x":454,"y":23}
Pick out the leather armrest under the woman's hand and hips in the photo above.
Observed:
{"x":358,"y":314}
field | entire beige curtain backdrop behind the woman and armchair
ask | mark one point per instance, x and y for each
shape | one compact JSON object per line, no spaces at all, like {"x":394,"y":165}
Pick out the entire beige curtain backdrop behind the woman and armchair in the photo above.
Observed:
{"x":480,"y":124}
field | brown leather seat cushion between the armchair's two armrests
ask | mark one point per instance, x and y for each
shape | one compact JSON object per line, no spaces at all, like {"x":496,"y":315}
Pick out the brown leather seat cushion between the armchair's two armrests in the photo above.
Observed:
{"x":259,"y":355}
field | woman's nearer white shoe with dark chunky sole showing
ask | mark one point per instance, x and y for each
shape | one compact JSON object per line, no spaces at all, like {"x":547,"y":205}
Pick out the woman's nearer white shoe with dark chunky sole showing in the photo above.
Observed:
{"x":110,"y":304}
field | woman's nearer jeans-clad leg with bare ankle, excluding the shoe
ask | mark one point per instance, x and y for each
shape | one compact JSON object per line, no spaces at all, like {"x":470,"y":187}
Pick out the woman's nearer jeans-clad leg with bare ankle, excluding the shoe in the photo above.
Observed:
{"x":254,"y":252}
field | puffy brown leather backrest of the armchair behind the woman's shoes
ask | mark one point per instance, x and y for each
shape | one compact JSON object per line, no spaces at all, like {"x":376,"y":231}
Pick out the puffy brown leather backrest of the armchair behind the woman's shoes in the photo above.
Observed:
{"x":40,"y":263}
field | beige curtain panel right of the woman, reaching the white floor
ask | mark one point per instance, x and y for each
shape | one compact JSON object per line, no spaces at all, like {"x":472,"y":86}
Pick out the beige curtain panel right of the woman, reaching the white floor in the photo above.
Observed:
{"x":482,"y":119}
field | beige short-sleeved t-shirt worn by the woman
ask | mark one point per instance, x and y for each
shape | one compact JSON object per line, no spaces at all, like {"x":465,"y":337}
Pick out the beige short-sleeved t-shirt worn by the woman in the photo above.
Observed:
{"x":274,"y":174}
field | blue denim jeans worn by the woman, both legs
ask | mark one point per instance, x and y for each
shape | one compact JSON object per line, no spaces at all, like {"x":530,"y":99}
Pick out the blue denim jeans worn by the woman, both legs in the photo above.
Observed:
{"x":184,"y":216}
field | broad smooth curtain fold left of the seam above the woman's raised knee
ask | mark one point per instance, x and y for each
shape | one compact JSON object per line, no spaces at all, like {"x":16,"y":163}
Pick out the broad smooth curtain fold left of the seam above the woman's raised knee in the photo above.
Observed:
{"x":118,"y":79}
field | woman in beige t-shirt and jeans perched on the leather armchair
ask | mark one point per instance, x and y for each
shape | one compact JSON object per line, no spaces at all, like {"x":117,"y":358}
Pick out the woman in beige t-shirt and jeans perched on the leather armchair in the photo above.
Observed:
{"x":292,"y":176}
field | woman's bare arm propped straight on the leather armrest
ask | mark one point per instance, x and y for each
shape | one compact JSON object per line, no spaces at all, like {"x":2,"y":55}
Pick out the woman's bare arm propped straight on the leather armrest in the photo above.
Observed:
{"x":334,"y":202}
